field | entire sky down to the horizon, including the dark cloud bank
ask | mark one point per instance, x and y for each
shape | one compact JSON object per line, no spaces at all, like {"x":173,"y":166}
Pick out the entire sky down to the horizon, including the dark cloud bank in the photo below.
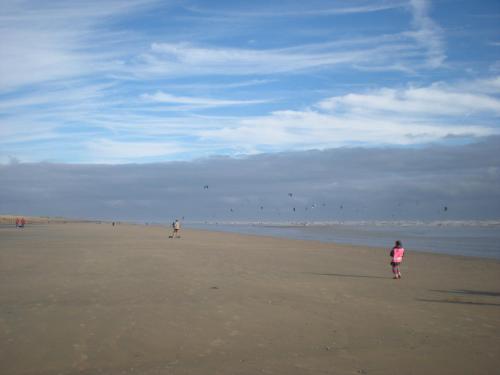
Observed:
{"x":145,"y":85}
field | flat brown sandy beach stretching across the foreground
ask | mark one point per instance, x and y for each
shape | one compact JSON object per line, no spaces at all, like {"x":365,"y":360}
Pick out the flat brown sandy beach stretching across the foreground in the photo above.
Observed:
{"x":97,"y":299}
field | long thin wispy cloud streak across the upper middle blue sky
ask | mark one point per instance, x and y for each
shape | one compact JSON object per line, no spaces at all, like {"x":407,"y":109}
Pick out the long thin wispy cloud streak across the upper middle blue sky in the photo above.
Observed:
{"x":181,"y":59}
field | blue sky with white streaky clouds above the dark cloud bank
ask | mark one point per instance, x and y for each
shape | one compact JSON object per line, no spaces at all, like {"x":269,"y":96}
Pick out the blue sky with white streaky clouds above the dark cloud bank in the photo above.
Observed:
{"x":146,"y":81}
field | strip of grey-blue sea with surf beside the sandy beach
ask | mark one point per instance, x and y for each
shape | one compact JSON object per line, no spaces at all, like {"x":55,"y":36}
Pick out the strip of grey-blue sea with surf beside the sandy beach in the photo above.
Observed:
{"x":476,"y":239}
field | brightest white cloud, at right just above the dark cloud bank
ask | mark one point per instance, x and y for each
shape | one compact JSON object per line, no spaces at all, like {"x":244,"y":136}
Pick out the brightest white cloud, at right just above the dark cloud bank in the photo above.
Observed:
{"x":383,"y":116}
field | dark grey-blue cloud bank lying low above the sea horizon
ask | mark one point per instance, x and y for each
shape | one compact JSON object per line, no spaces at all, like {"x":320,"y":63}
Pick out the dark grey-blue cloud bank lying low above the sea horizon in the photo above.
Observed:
{"x":335,"y":184}
